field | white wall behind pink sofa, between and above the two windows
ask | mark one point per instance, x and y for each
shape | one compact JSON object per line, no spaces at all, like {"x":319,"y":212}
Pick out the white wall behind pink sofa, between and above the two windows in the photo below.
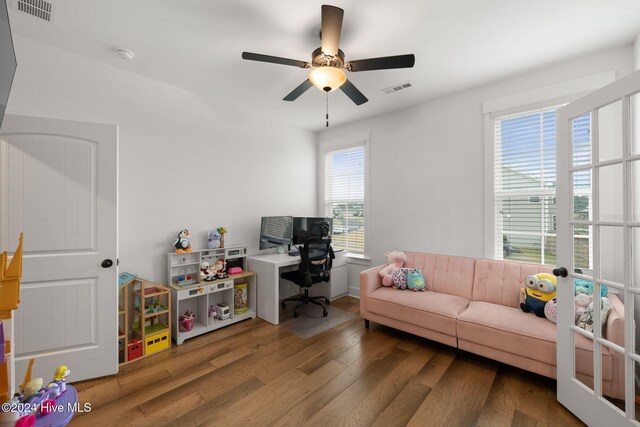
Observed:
{"x":427,"y":162}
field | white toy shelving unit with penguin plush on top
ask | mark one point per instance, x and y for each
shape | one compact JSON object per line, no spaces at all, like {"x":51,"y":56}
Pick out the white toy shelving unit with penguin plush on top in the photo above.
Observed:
{"x":197,"y":296}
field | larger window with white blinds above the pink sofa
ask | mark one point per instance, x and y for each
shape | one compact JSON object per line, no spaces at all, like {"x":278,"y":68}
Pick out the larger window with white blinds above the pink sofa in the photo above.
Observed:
{"x":525,"y":186}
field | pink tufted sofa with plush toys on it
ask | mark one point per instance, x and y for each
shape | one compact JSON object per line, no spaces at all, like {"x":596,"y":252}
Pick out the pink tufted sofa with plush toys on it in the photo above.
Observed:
{"x":473,"y":304}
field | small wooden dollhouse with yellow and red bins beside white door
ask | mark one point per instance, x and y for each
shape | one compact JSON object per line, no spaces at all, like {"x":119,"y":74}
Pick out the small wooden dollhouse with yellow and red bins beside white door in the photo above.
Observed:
{"x":144,"y":318}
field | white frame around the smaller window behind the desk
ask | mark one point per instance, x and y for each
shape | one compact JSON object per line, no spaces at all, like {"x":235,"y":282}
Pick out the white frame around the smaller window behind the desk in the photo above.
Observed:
{"x":351,"y":141}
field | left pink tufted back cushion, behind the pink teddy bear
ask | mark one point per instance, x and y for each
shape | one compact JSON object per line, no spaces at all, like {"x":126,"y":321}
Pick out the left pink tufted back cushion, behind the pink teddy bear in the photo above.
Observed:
{"x":443,"y":273}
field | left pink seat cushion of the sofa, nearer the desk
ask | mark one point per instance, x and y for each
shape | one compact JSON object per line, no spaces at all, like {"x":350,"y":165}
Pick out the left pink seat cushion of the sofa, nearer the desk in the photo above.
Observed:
{"x":430,"y":310}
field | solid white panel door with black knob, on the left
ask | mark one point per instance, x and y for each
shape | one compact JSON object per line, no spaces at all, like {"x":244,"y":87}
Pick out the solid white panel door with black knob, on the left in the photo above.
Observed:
{"x":58,"y":185}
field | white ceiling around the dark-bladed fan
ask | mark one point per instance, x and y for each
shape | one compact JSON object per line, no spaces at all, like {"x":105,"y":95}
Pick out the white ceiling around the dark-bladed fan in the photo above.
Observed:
{"x":196,"y":45}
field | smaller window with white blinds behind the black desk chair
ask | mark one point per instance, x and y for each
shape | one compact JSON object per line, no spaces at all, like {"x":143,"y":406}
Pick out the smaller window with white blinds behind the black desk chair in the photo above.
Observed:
{"x":344,"y":196}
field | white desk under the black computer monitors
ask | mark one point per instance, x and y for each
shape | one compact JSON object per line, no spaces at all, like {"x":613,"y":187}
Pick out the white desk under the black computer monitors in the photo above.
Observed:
{"x":268,"y":269}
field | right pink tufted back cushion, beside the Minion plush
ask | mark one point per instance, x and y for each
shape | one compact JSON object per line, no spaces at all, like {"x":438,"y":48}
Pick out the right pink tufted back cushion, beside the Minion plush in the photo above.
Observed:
{"x":499,"y":282}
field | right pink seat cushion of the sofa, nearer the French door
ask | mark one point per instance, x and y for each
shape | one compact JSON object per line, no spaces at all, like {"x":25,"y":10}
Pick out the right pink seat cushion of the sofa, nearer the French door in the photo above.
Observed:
{"x":523,"y":334}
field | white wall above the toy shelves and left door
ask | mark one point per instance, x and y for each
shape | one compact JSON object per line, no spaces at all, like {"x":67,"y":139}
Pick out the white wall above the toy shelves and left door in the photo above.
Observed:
{"x":185,"y":160}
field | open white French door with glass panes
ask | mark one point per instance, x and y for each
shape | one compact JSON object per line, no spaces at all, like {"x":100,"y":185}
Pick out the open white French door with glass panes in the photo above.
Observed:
{"x":598,"y":195}
